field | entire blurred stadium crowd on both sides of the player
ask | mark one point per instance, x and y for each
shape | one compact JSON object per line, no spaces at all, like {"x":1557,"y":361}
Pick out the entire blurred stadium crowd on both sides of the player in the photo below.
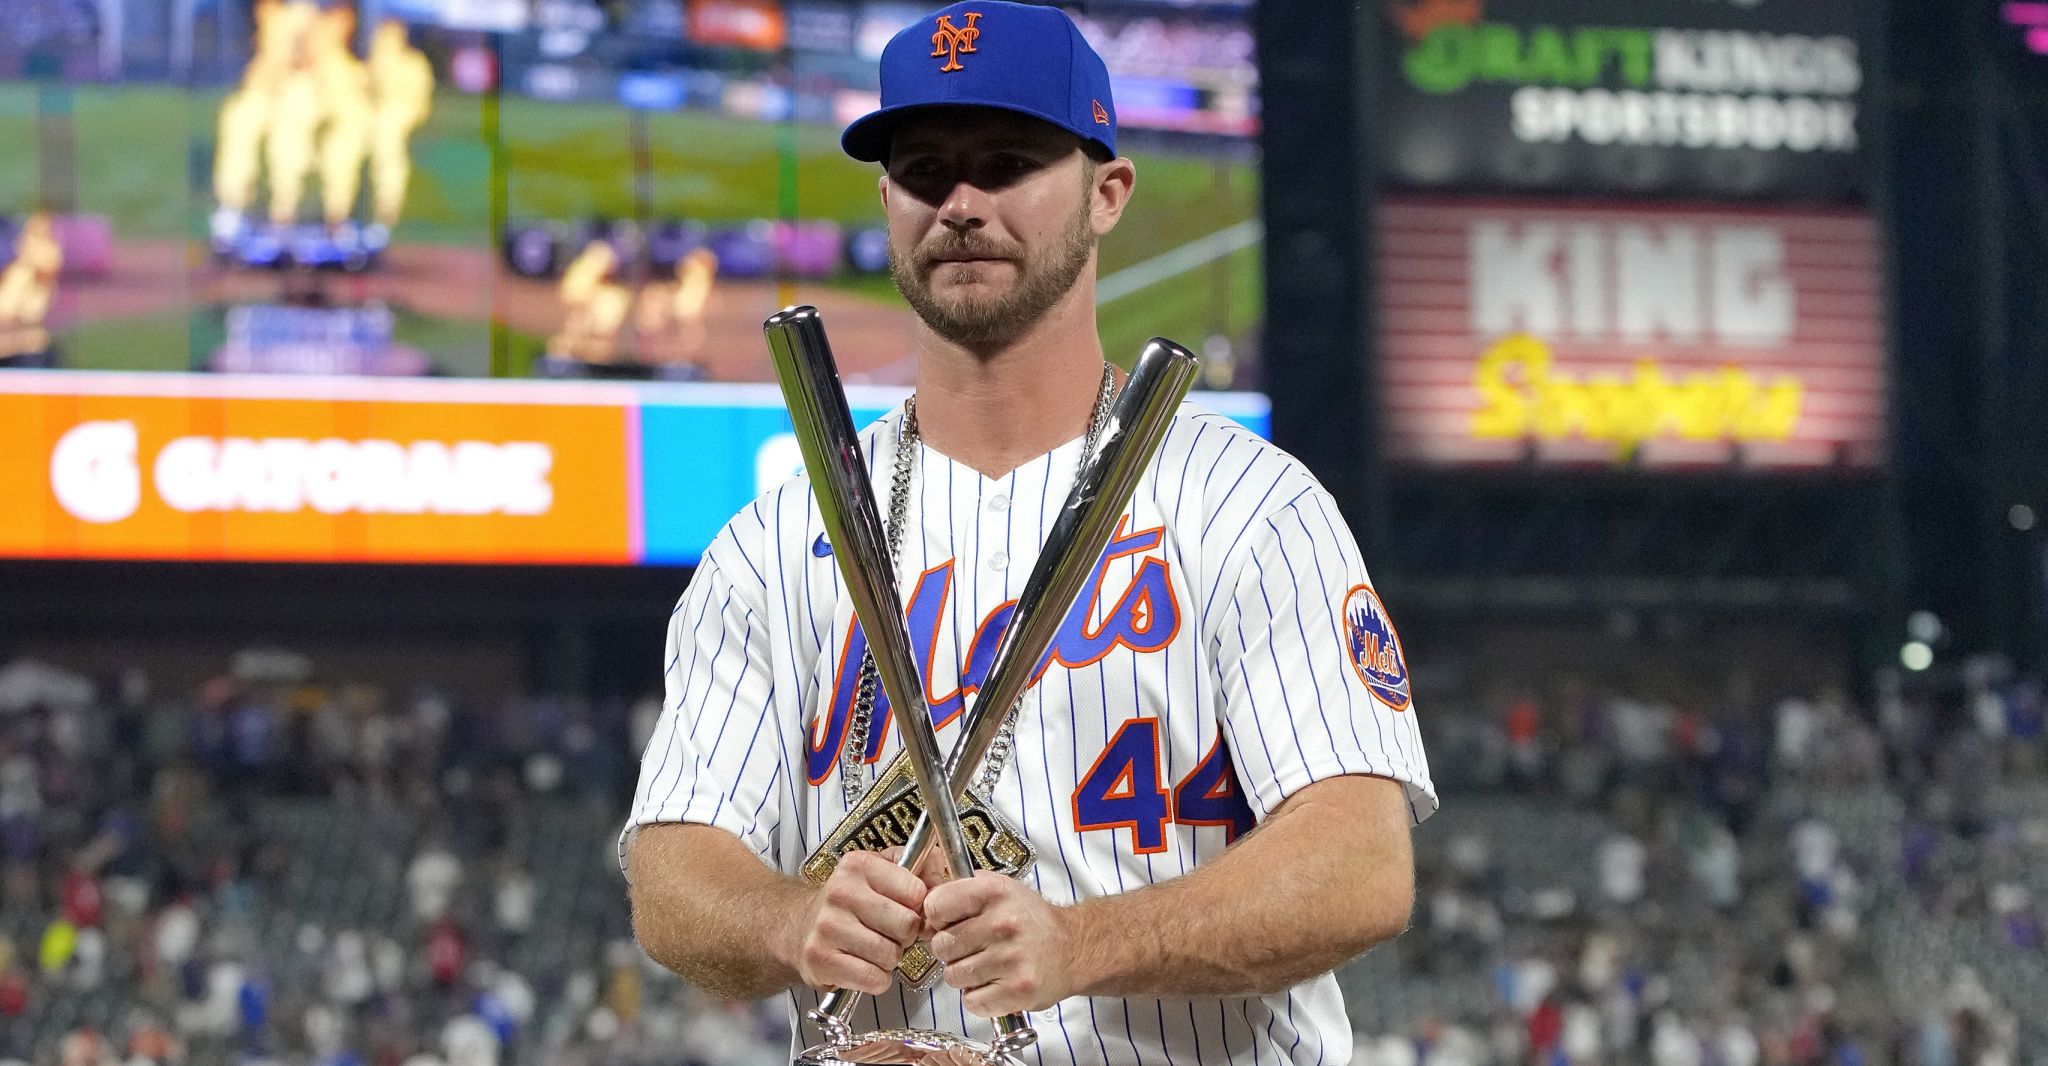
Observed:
{"x":269,"y":869}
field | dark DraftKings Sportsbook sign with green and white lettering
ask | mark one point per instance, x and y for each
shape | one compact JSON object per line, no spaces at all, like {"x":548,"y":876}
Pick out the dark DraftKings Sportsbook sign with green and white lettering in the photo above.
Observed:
{"x":1723,"y":99}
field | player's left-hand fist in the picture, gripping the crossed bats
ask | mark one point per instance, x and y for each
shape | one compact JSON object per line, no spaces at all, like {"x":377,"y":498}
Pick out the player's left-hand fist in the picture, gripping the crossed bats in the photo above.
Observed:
{"x":857,"y":926}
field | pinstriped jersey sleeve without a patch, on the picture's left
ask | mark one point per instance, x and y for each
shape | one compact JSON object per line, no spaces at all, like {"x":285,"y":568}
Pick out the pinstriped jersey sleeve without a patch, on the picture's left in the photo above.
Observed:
{"x":714,"y":754}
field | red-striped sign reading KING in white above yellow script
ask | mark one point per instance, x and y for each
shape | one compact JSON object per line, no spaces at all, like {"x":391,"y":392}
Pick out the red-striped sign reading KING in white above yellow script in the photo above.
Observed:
{"x":1560,"y":335}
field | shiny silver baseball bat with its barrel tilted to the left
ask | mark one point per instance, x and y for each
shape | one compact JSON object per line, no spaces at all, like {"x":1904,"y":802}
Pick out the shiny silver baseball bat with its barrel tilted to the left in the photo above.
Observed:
{"x":861,"y":547}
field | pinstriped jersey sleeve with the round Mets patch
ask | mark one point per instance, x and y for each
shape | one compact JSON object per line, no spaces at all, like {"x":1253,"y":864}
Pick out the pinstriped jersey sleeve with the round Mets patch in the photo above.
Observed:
{"x":1312,"y":670}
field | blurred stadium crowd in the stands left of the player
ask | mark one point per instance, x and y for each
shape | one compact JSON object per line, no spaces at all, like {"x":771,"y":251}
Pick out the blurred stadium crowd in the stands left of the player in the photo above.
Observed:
{"x":171,"y":895}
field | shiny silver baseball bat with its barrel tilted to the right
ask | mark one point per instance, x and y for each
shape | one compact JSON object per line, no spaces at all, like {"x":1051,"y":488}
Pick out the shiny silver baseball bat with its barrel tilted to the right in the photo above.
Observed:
{"x":1084,"y":527}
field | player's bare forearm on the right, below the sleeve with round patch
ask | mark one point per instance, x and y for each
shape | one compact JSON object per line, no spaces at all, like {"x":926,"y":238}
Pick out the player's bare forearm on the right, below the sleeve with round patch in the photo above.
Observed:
{"x":1326,"y":879}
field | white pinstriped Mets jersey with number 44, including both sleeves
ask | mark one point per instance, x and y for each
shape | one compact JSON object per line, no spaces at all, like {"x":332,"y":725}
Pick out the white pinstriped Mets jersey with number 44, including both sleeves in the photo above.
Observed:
{"x":1230,"y":654}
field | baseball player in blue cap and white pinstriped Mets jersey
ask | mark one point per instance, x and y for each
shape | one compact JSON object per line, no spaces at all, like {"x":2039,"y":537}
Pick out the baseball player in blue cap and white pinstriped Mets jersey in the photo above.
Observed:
{"x":1220,"y":764}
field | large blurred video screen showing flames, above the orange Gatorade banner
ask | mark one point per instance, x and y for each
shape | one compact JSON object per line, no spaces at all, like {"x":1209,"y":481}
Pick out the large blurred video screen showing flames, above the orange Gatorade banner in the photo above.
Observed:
{"x":542,"y":189}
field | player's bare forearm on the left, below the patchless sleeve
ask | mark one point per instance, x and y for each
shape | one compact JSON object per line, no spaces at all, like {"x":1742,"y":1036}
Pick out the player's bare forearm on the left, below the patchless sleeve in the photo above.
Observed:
{"x":714,"y":914}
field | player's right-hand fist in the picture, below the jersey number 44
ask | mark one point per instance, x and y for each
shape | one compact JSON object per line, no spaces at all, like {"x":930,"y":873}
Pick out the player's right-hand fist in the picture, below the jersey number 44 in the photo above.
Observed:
{"x":1005,"y":946}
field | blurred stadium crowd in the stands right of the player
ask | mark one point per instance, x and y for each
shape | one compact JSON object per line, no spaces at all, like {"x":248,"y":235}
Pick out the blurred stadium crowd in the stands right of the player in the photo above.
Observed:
{"x":1730,"y":881}
